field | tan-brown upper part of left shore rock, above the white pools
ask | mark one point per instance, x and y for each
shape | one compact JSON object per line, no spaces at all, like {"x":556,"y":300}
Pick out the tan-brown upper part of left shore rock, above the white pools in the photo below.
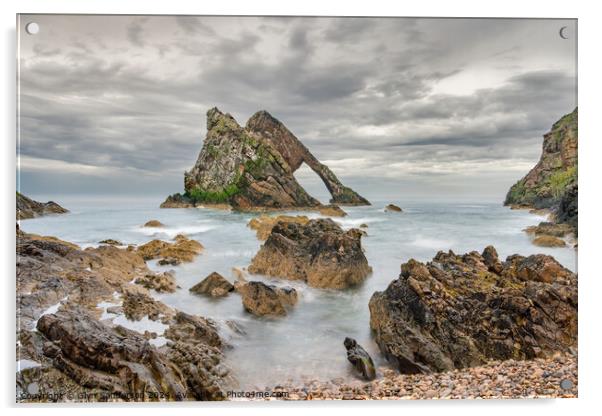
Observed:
{"x":50,"y":271}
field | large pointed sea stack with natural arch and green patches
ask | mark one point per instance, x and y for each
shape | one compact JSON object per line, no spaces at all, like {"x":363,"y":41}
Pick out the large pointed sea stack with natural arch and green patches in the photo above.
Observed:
{"x":252,"y":167}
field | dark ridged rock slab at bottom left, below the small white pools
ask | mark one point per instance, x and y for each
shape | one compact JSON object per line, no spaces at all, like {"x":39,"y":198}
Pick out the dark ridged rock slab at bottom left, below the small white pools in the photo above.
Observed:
{"x":121,"y":362}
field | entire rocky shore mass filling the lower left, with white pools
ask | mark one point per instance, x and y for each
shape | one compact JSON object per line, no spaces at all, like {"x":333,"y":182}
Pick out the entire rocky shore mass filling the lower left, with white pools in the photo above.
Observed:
{"x":59,"y":290}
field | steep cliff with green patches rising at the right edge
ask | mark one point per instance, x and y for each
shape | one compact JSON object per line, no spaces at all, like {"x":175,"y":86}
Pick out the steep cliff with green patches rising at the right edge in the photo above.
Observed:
{"x":552,"y":183}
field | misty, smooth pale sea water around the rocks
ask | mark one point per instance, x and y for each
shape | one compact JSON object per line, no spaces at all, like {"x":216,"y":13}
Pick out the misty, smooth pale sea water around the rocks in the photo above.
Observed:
{"x":308,"y":342}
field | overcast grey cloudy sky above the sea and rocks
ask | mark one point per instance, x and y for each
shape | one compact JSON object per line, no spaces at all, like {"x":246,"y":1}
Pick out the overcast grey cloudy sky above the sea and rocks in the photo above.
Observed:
{"x":405,"y":107}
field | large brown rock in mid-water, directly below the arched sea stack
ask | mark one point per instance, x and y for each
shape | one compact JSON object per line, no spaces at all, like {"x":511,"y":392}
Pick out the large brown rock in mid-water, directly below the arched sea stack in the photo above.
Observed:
{"x":319,"y":253}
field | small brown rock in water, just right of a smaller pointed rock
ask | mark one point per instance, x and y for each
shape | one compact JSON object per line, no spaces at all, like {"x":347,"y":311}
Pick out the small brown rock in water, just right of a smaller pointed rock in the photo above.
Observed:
{"x":266,"y":300}
